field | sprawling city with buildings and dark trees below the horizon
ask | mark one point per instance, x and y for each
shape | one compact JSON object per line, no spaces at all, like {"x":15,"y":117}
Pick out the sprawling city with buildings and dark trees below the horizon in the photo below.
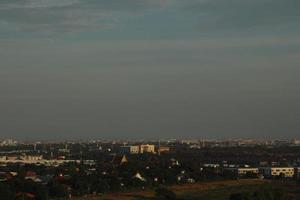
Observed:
{"x":70,"y":169}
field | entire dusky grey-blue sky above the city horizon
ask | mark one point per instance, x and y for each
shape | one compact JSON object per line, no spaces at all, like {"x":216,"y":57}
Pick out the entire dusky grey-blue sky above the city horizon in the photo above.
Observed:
{"x":149,"y":69}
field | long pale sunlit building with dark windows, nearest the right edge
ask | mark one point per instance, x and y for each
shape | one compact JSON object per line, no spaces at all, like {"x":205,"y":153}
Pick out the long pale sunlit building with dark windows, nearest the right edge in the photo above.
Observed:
{"x":278,"y":171}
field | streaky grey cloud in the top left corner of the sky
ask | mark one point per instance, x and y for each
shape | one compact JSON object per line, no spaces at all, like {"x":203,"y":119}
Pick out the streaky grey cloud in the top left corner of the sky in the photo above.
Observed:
{"x":70,"y":15}
